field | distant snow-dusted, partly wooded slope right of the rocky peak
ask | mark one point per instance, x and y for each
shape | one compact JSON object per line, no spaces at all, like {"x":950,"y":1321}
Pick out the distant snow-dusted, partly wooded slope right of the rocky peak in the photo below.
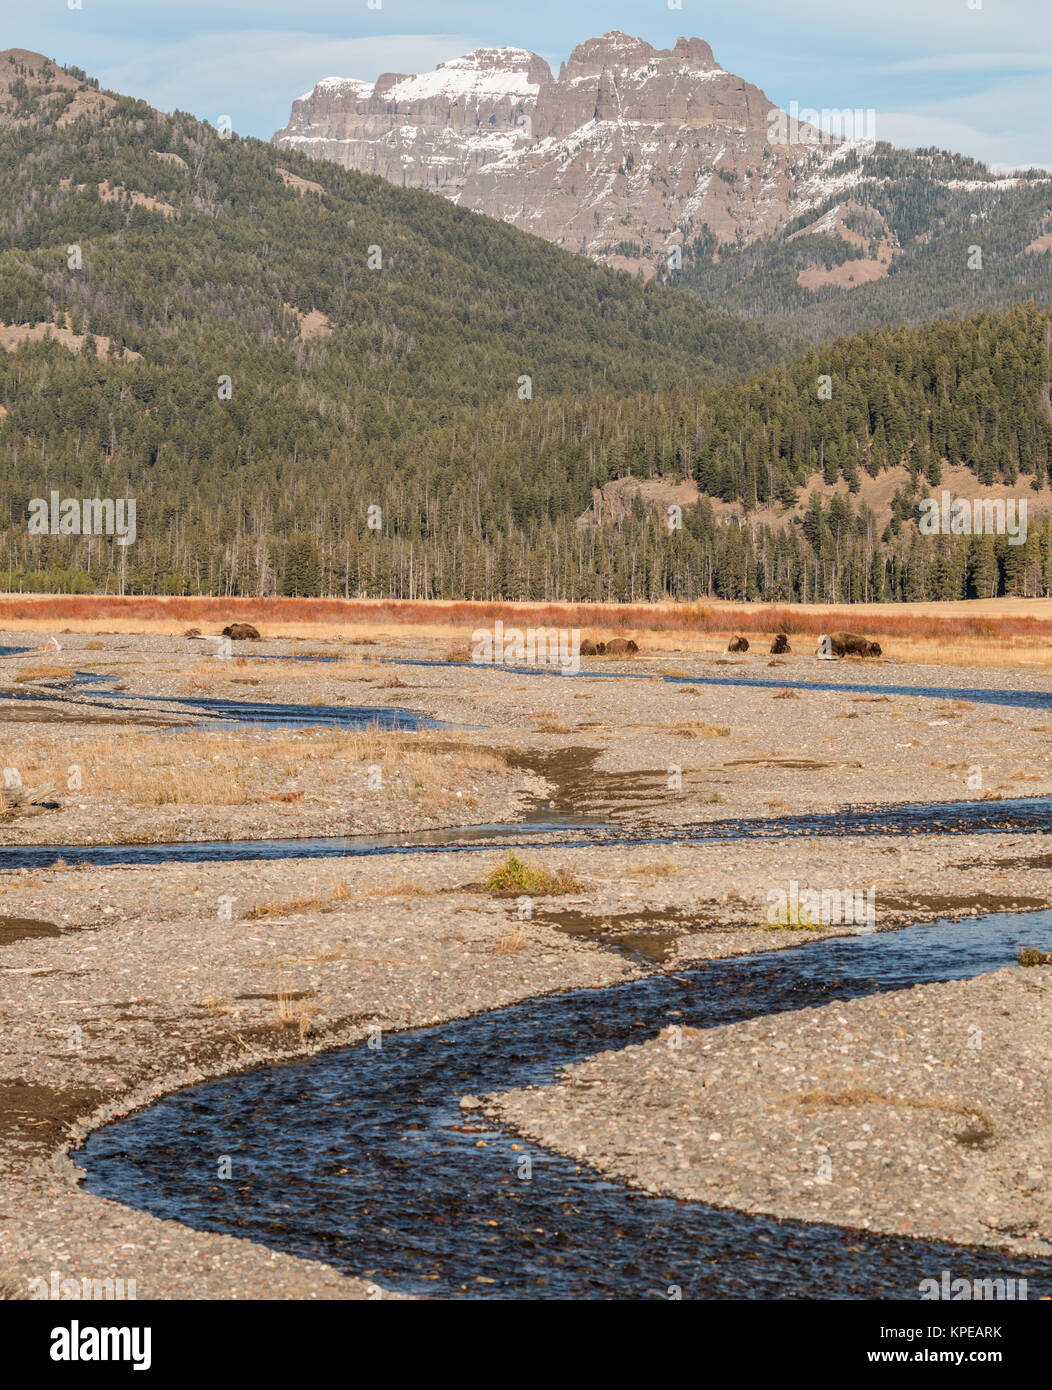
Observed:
{"x":930,"y":209}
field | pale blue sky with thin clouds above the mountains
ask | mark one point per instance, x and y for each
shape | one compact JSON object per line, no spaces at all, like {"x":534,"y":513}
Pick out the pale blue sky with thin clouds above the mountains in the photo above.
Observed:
{"x":971,"y":76}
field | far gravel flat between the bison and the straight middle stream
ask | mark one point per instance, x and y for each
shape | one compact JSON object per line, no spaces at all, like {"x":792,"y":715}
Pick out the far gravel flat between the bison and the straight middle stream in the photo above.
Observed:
{"x":647,"y":753}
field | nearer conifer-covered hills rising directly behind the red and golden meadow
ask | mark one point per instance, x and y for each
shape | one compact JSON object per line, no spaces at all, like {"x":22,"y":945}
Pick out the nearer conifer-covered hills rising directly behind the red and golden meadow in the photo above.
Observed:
{"x":263,"y":351}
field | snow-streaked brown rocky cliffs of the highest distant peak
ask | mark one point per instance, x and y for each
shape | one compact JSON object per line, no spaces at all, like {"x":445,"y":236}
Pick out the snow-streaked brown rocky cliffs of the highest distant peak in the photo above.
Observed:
{"x":630,"y":152}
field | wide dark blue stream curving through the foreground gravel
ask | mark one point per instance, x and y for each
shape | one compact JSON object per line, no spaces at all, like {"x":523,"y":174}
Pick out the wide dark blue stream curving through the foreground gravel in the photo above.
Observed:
{"x":363,"y":1159}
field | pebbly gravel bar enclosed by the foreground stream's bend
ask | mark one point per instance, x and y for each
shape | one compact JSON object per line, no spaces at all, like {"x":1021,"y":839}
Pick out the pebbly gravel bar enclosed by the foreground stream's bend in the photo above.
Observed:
{"x":922,"y":1113}
